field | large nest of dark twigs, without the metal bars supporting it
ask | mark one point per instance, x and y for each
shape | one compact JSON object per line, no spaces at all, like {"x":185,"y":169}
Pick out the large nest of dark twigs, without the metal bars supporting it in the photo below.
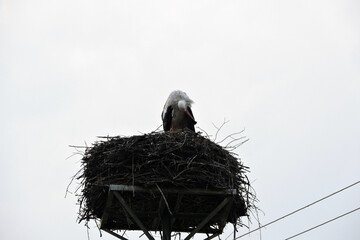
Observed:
{"x":178,"y":161}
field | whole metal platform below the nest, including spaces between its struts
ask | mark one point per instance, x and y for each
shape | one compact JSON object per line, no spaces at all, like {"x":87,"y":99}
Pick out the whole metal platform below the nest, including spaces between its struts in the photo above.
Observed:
{"x":166,"y":210}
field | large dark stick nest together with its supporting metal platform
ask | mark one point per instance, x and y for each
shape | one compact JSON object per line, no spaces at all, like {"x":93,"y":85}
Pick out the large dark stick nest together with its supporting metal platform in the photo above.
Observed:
{"x":168,"y":182}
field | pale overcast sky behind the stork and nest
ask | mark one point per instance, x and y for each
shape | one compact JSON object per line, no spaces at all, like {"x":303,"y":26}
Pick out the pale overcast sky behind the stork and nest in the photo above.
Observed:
{"x":287,"y":72}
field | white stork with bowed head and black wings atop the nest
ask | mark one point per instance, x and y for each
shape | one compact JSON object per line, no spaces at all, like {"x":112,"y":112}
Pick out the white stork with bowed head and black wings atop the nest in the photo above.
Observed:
{"x":177,"y":114}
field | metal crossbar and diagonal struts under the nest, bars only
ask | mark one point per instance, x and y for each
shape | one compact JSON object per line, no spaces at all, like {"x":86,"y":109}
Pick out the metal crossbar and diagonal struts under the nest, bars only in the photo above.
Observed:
{"x":163,"y":216}
